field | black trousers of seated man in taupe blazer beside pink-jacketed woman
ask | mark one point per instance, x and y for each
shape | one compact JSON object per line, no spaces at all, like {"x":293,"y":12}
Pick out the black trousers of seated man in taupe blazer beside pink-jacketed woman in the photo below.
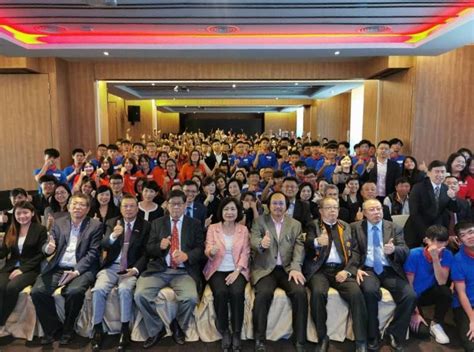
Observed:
{"x":263,"y":299}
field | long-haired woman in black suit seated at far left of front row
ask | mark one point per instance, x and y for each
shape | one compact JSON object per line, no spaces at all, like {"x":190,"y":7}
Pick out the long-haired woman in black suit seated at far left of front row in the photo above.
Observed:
{"x":22,"y":246}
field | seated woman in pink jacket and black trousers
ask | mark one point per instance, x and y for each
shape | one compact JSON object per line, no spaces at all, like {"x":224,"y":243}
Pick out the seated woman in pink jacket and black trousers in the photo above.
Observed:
{"x":227,"y":270}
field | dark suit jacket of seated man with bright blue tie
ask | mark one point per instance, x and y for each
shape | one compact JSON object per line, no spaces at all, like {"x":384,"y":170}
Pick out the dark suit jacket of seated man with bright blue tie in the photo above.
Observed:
{"x":390,"y":231}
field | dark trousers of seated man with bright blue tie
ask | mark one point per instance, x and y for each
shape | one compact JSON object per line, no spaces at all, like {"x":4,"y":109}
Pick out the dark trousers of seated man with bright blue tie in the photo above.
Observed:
{"x":403,"y":295}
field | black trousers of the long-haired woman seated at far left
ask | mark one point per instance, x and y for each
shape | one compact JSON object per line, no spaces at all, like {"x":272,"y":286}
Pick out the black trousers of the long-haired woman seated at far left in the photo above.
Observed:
{"x":9,"y":291}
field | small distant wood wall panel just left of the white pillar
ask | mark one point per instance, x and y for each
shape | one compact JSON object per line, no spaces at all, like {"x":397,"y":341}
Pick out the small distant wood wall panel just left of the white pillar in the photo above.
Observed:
{"x":333,"y":117}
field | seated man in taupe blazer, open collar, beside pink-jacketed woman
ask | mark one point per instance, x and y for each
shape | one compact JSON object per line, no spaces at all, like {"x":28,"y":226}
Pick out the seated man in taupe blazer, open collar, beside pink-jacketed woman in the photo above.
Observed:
{"x":277,"y":256}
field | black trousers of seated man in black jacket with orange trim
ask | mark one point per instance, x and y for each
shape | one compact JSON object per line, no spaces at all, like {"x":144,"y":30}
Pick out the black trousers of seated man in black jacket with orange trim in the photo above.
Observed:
{"x":348,"y":290}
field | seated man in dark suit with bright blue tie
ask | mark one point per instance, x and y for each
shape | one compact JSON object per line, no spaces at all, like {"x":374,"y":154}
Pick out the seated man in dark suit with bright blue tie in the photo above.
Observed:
{"x":382,"y":254}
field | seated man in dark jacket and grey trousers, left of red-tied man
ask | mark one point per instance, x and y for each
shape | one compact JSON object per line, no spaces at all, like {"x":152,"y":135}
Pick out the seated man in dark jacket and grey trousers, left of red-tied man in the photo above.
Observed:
{"x":124,"y":246}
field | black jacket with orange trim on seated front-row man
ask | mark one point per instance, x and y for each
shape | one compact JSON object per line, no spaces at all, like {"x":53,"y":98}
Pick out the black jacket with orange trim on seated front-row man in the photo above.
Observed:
{"x":315,"y":258}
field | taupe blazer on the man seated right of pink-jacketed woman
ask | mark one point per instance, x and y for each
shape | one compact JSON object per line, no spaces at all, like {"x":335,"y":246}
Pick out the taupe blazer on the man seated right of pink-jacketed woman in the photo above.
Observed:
{"x":290,"y":246}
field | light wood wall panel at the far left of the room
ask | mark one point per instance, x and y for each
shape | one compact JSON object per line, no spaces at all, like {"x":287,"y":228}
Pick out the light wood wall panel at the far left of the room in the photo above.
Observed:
{"x":26,"y":128}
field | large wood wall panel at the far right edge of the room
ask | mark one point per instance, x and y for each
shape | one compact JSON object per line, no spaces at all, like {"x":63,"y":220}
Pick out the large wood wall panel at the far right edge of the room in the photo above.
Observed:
{"x":444,"y":104}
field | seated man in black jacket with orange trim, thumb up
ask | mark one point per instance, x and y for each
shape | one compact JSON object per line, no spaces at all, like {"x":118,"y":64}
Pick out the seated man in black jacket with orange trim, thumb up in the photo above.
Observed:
{"x":332,"y":260}
